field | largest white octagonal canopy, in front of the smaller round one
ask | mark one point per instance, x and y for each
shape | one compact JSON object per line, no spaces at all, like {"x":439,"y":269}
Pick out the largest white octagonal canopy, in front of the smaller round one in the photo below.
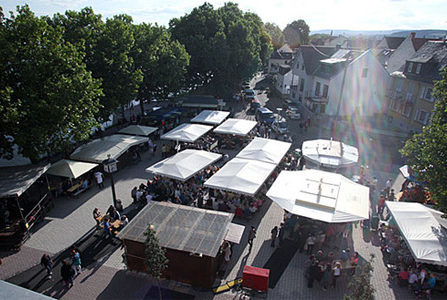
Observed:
{"x":320,"y":195}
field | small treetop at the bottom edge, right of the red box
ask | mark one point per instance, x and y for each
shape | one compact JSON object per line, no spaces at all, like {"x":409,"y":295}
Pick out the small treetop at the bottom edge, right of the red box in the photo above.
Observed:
{"x":360,"y":286}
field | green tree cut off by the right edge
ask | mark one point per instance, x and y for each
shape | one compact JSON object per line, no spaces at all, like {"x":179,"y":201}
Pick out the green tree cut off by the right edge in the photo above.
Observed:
{"x":426,"y":152}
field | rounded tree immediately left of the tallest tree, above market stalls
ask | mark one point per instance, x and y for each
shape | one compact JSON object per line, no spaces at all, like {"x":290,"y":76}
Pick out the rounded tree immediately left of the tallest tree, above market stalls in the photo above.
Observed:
{"x":162,"y":61}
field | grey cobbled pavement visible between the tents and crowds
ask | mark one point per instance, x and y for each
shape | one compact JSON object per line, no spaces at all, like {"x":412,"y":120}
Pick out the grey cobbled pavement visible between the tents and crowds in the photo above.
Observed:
{"x":71,"y":219}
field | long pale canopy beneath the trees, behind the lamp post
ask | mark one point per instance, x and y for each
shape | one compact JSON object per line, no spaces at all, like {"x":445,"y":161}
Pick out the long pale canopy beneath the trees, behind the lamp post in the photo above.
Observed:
{"x":97,"y":150}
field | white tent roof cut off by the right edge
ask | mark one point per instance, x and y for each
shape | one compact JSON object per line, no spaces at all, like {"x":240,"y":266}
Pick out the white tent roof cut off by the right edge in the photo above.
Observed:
{"x":420,"y":226}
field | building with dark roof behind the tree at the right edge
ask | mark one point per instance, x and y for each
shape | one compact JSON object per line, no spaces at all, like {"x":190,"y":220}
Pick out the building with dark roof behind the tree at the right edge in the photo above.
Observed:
{"x":410,"y":97}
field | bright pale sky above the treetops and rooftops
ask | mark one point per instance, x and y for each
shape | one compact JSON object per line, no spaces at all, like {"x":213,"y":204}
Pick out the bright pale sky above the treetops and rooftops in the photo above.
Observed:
{"x":318,"y":14}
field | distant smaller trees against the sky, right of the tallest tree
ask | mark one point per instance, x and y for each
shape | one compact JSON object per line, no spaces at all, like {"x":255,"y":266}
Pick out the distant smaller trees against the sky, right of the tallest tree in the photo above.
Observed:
{"x":294,"y":34}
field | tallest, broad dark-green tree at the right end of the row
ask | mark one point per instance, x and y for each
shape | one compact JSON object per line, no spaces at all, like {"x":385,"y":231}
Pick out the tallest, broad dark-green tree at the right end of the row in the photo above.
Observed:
{"x":226,"y":46}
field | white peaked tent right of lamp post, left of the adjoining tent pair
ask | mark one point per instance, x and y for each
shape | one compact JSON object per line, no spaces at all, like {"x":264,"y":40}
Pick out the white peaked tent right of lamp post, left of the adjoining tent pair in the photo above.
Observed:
{"x":184,"y":164}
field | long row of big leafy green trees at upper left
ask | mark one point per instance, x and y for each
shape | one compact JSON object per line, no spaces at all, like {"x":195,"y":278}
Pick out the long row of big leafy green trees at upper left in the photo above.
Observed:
{"x":61,"y":75}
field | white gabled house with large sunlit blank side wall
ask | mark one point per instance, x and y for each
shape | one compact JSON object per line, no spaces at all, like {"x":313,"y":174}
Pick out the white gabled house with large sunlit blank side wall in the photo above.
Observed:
{"x":339,"y":82}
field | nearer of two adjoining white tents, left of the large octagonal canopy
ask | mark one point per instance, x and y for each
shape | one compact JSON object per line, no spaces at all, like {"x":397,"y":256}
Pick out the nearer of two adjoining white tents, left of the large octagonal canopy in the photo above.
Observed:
{"x":241,"y":176}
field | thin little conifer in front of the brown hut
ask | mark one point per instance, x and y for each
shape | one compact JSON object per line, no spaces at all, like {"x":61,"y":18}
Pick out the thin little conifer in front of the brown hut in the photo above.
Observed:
{"x":155,"y":256}
